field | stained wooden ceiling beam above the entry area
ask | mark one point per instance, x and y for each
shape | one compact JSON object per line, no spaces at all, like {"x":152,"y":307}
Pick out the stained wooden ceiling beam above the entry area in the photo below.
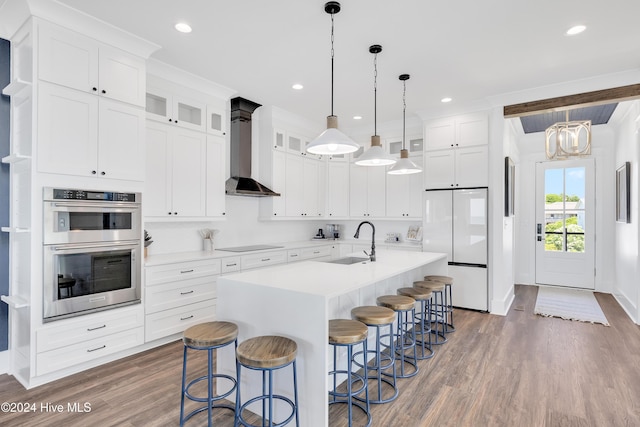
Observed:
{"x":562,"y":103}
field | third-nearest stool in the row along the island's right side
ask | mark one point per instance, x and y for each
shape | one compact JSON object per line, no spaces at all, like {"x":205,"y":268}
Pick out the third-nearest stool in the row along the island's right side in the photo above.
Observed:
{"x":405,"y":335}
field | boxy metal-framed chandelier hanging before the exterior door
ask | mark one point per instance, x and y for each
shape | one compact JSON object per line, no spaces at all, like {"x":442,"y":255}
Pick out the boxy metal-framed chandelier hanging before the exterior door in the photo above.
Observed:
{"x":568,"y":139}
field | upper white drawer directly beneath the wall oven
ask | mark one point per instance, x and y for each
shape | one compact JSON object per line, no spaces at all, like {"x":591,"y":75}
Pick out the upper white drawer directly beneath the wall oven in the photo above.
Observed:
{"x":89,"y":327}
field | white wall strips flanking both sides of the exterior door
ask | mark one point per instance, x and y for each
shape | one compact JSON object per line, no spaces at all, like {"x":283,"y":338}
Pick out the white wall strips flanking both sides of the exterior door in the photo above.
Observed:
{"x":531,"y":148}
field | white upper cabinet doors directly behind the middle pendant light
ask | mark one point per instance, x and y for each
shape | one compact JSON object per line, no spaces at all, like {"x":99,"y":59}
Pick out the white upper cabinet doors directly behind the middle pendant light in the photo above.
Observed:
{"x":367,"y":195}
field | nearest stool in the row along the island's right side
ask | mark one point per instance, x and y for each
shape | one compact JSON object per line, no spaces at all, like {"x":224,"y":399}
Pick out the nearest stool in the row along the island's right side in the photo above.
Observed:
{"x":349,"y":333}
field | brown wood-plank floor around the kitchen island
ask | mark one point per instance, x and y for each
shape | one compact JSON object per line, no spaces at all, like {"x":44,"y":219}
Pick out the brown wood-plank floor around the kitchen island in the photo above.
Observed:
{"x":518,"y":370}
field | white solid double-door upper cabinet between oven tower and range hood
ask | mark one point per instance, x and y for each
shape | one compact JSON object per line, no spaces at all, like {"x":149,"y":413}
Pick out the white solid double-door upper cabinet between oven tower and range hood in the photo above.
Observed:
{"x":176,"y":172}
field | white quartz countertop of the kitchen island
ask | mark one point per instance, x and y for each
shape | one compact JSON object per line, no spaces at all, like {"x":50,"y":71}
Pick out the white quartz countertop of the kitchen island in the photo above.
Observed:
{"x":329,"y":279}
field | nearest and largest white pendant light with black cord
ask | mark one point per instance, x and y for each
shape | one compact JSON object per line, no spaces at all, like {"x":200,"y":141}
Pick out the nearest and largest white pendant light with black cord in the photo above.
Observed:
{"x":332,"y":141}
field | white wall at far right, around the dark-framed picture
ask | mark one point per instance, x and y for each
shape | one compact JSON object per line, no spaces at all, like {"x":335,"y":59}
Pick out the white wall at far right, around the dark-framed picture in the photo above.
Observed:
{"x":627,"y":265}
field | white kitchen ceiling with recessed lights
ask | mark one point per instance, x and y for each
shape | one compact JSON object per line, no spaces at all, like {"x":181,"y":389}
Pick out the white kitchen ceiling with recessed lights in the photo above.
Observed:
{"x":466,"y":49}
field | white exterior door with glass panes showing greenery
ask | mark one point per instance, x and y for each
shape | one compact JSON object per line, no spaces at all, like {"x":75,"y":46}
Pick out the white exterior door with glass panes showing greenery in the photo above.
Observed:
{"x":565,"y":234}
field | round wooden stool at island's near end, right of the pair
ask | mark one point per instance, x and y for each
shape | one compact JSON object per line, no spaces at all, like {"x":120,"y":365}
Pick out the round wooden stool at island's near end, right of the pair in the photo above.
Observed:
{"x":267,"y":354}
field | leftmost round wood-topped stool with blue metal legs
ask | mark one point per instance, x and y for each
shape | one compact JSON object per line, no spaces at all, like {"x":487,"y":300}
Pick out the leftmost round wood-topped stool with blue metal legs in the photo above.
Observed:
{"x":208,"y":336}
